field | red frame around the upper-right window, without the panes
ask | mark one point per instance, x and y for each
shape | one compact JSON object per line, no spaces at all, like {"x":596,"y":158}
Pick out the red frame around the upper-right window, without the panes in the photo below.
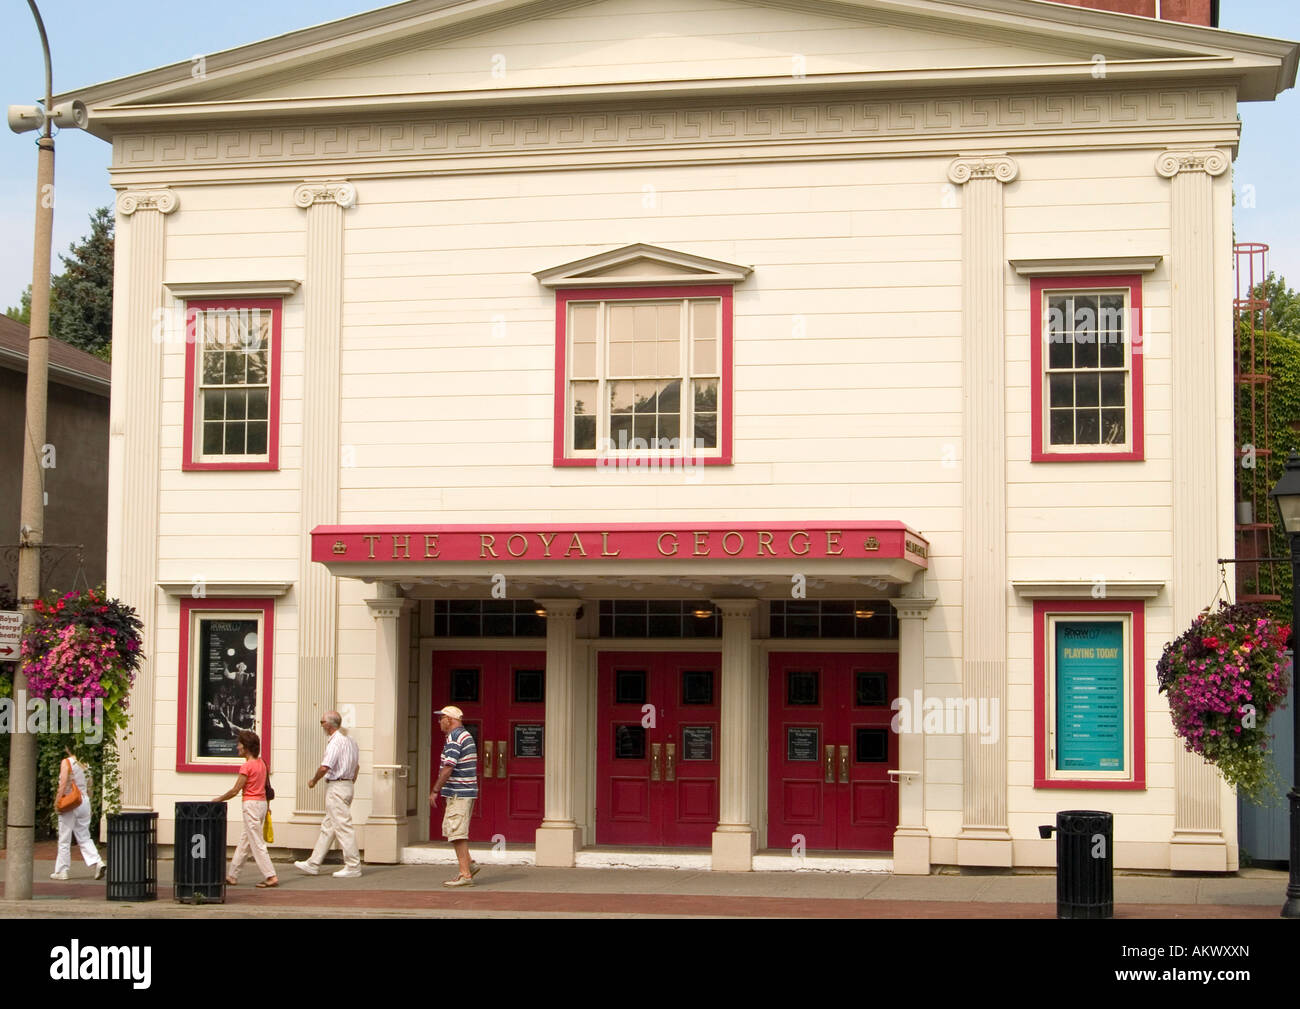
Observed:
{"x":1041,"y":449}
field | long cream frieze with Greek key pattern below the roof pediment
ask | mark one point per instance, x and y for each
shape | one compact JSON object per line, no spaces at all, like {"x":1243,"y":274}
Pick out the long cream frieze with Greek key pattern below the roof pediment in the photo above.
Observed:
{"x":681,"y":127}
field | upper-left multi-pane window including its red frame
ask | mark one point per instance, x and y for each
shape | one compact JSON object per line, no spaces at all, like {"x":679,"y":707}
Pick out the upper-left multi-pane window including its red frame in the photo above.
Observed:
{"x":232,"y":386}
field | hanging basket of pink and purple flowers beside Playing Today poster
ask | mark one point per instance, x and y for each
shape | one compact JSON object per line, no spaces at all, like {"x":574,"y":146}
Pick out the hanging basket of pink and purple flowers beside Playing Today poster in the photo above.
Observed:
{"x":1225,"y":675}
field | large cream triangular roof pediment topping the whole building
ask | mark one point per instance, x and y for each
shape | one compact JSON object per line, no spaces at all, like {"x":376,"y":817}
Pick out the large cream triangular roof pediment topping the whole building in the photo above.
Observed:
{"x":431,"y":54}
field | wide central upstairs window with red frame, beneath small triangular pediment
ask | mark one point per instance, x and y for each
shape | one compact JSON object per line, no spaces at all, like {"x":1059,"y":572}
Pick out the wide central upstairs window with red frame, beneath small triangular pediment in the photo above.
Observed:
{"x":644,"y":373}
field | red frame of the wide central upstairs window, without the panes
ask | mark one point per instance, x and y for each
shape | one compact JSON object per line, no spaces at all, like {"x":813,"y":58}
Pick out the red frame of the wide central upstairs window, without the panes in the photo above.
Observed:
{"x":619,"y":295}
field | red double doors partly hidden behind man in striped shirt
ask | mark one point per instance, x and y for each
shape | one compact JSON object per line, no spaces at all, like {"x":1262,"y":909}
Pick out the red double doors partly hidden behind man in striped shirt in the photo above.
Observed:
{"x":504,"y":696}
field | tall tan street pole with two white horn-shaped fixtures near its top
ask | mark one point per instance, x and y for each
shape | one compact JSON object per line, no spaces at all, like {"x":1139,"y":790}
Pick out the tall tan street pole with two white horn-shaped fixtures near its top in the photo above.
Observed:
{"x":23,"y":746}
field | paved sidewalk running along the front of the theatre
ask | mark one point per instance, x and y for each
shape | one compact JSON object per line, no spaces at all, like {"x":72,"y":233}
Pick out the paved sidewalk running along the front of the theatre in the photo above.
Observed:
{"x":526,"y":891}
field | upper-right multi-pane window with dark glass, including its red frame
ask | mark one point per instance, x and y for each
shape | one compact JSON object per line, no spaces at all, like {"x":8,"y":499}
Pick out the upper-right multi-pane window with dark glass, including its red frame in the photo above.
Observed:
{"x":1087,"y":369}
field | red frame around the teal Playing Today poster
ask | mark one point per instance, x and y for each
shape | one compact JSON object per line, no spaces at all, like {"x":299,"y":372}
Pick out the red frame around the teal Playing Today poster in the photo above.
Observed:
{"x":1137,"y":610}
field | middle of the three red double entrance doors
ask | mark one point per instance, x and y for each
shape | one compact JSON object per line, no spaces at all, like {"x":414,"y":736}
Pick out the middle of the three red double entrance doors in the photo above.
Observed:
{"x":657,"y":750}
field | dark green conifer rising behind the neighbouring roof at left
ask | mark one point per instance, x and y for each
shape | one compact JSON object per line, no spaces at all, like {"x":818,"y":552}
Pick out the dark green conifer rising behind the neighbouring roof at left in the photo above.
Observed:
{"x":81,"y":298}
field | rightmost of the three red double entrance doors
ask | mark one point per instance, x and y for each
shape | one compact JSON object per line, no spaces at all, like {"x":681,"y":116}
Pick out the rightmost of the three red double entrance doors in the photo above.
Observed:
{"x":830,"y":751}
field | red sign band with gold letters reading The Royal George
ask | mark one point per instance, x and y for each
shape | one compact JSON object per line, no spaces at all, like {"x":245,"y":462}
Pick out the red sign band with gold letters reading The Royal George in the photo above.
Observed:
{"x":612,"y":543}
